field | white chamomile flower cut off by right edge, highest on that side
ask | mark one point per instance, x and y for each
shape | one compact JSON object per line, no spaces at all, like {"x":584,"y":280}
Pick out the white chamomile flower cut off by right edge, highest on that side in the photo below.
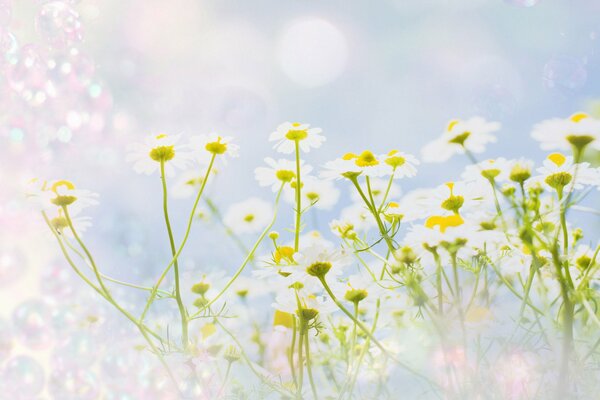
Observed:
{"x":577,"y":131}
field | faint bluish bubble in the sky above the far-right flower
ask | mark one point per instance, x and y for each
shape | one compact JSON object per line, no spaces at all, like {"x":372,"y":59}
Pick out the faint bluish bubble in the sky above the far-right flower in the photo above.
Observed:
{"x":564,"y":72}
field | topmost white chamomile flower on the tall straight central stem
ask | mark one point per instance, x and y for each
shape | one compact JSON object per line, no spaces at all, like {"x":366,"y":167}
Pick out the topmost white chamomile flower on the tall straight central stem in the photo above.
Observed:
{"x":288,"y":133}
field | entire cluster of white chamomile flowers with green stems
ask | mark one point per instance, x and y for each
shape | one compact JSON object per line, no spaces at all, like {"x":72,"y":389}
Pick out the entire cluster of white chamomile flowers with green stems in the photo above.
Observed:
{"x":335,"y":305}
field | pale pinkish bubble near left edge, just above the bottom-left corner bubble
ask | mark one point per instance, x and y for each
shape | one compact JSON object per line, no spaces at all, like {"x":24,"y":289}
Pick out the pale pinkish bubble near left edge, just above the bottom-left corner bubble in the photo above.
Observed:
{"x":32,"y":323}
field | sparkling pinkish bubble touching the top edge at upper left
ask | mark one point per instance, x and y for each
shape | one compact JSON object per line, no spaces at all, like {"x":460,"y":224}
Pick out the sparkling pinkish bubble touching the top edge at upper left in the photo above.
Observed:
{"x":58,"y":23}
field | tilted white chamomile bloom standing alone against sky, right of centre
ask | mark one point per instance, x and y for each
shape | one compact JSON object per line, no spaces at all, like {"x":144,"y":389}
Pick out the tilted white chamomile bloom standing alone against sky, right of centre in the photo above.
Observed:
{"x":472,"y":134}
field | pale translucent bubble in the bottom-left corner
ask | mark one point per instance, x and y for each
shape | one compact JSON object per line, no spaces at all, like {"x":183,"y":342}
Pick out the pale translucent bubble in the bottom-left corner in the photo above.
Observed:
{"x":22,"y":378}
